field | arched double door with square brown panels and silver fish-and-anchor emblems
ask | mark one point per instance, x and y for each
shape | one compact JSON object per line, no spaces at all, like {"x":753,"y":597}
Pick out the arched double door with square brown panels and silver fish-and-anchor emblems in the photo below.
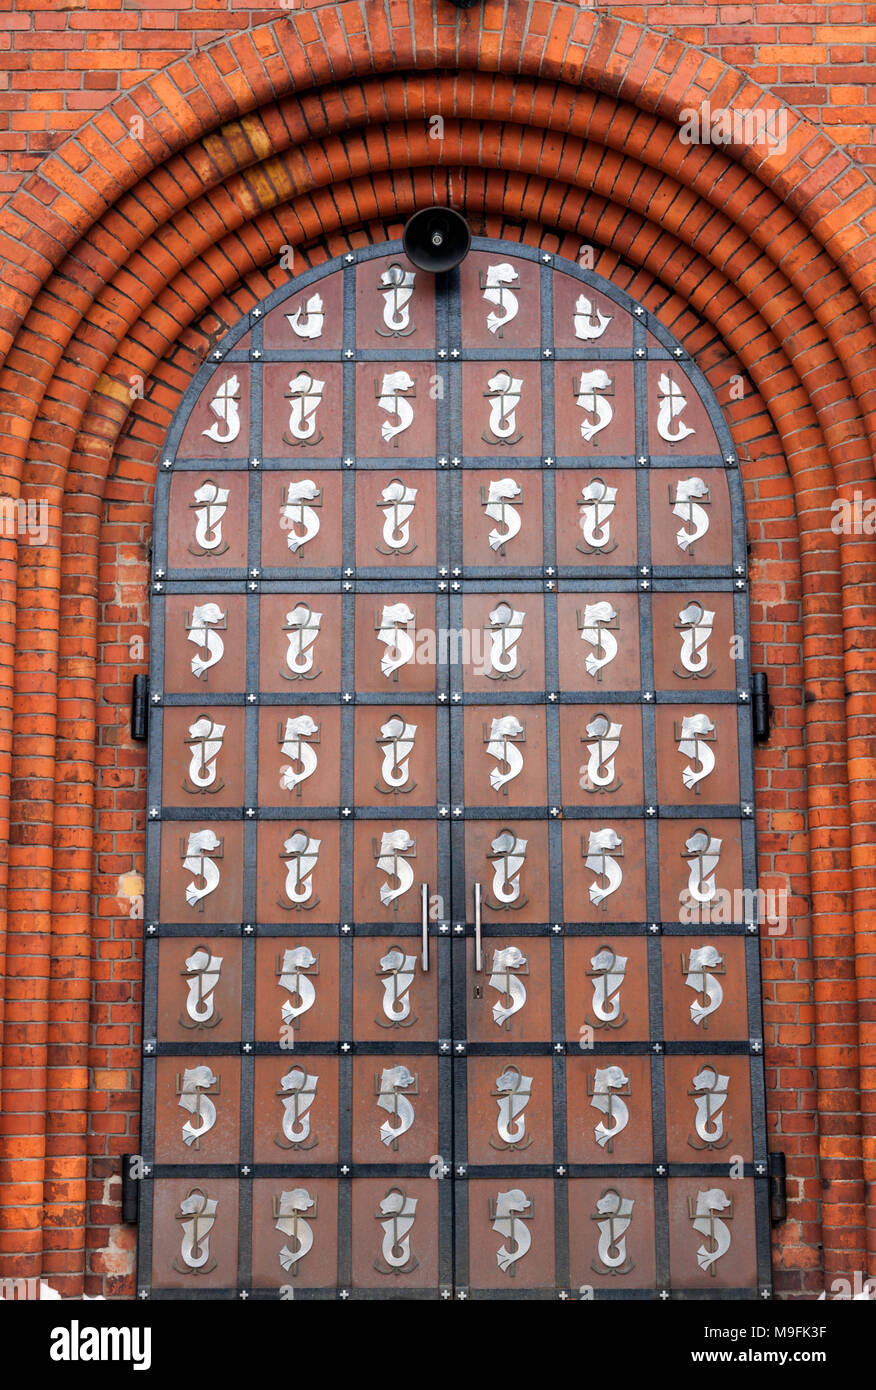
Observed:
{"x":453,"y":981}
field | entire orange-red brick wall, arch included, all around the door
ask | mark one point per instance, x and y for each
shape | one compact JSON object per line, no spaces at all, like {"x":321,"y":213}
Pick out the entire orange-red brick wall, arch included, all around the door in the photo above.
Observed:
{"x":731,"y":254}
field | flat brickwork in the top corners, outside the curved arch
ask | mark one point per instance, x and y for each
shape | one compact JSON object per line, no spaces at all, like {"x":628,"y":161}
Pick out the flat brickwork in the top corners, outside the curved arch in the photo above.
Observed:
{"x":62,"y":62}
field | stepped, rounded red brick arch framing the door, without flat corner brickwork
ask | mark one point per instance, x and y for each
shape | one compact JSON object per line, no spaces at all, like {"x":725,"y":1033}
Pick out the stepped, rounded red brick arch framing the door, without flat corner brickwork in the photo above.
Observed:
{"x":312,"y":130}
